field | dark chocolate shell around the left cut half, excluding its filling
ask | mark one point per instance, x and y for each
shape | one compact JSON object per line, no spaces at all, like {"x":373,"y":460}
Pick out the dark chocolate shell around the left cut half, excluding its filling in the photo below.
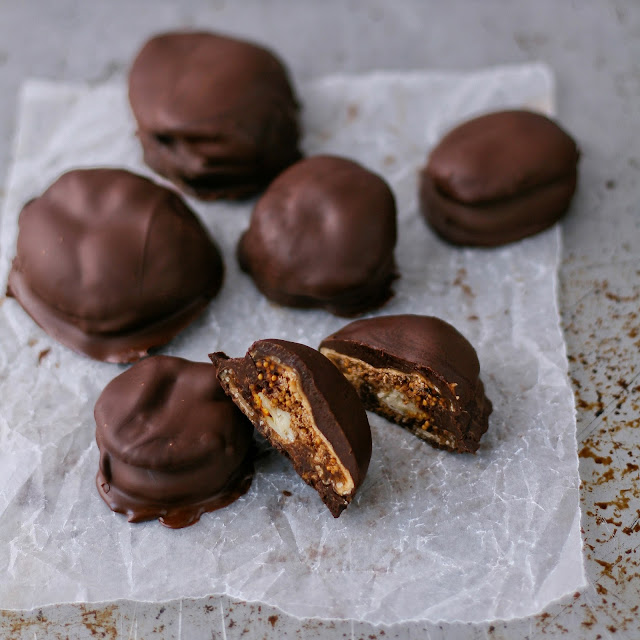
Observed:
{"x":337,"y":411}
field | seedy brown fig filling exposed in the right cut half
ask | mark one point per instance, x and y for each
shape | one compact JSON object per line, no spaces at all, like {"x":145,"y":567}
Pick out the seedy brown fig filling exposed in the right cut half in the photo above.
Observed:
{"x":408,"y":399}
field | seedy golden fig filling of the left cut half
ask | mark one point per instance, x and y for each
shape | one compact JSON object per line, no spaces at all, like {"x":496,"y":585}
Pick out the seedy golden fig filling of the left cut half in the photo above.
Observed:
{"x":278,"y":406}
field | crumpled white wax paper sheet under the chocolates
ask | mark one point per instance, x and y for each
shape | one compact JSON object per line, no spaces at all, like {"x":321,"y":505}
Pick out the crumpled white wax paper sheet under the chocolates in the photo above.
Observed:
{"x":431,"y":535}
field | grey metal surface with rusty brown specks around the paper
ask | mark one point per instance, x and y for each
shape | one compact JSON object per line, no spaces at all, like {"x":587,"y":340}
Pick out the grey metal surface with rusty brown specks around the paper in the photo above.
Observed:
{"x":594,"y":47}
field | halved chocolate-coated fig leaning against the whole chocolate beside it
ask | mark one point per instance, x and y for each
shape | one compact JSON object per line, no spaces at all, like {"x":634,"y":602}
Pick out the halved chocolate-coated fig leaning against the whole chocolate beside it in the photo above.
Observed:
{"x":304,"y":406}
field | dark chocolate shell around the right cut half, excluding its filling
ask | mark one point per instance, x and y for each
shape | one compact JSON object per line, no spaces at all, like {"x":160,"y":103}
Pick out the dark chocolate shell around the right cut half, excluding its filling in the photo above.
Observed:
{"x":431,"y":348}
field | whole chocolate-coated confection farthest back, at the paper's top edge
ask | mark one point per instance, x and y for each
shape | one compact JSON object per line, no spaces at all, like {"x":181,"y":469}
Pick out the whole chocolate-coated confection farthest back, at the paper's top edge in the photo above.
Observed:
{"x":215,"y":115}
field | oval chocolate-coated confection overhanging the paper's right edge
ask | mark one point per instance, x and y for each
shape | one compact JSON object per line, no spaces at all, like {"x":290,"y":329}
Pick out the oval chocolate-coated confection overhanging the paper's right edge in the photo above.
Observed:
{"x":499,"y":178}
